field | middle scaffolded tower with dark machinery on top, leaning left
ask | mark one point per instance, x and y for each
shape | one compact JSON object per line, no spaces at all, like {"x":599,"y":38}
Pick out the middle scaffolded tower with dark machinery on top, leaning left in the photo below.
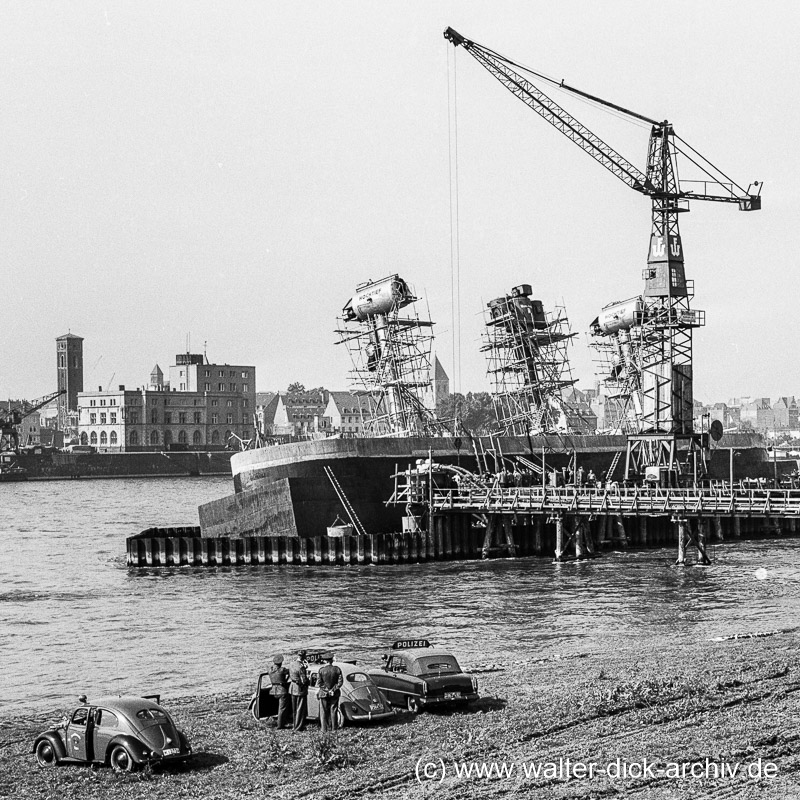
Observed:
{"x":528,"y":364}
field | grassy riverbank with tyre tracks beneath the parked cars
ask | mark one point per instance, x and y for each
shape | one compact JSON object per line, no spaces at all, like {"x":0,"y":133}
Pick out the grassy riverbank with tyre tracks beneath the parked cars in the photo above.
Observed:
{"x":687,"y":711}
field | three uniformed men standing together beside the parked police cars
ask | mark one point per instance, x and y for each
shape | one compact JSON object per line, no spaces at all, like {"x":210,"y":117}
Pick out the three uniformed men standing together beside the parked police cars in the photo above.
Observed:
{"x":290,"y":688}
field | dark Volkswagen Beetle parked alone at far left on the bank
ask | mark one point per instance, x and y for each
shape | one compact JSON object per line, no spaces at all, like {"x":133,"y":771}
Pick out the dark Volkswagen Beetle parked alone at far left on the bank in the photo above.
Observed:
{"x":123,"y":732}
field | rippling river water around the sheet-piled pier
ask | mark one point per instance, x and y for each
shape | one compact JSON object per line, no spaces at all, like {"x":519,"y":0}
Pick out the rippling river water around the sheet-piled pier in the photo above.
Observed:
{"x":75,"y":619}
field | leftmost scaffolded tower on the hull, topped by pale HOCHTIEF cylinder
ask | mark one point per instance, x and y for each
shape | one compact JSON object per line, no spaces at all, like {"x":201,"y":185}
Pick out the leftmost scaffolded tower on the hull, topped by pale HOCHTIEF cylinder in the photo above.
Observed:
{"x":391,"y":357}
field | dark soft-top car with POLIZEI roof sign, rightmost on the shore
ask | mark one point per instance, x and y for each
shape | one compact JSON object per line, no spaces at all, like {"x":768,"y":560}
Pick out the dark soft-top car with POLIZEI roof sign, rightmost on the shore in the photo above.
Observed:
{"x":416,"y":675}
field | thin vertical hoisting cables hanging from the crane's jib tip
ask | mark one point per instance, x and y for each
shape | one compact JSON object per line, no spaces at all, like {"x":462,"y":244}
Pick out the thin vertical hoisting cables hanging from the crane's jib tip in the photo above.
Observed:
{"x":455,"y":266}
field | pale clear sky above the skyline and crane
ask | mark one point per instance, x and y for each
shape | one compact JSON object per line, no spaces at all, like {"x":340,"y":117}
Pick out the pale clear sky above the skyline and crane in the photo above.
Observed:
{"x":220,"y":177}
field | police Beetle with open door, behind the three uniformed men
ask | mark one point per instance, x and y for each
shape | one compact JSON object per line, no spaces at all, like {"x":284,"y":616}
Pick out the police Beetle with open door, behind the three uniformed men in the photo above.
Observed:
{"x":360,"y":701}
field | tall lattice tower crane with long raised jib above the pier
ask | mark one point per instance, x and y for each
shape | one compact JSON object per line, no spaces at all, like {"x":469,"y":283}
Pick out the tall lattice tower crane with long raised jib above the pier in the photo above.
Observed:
{"x":663,"y":326}
